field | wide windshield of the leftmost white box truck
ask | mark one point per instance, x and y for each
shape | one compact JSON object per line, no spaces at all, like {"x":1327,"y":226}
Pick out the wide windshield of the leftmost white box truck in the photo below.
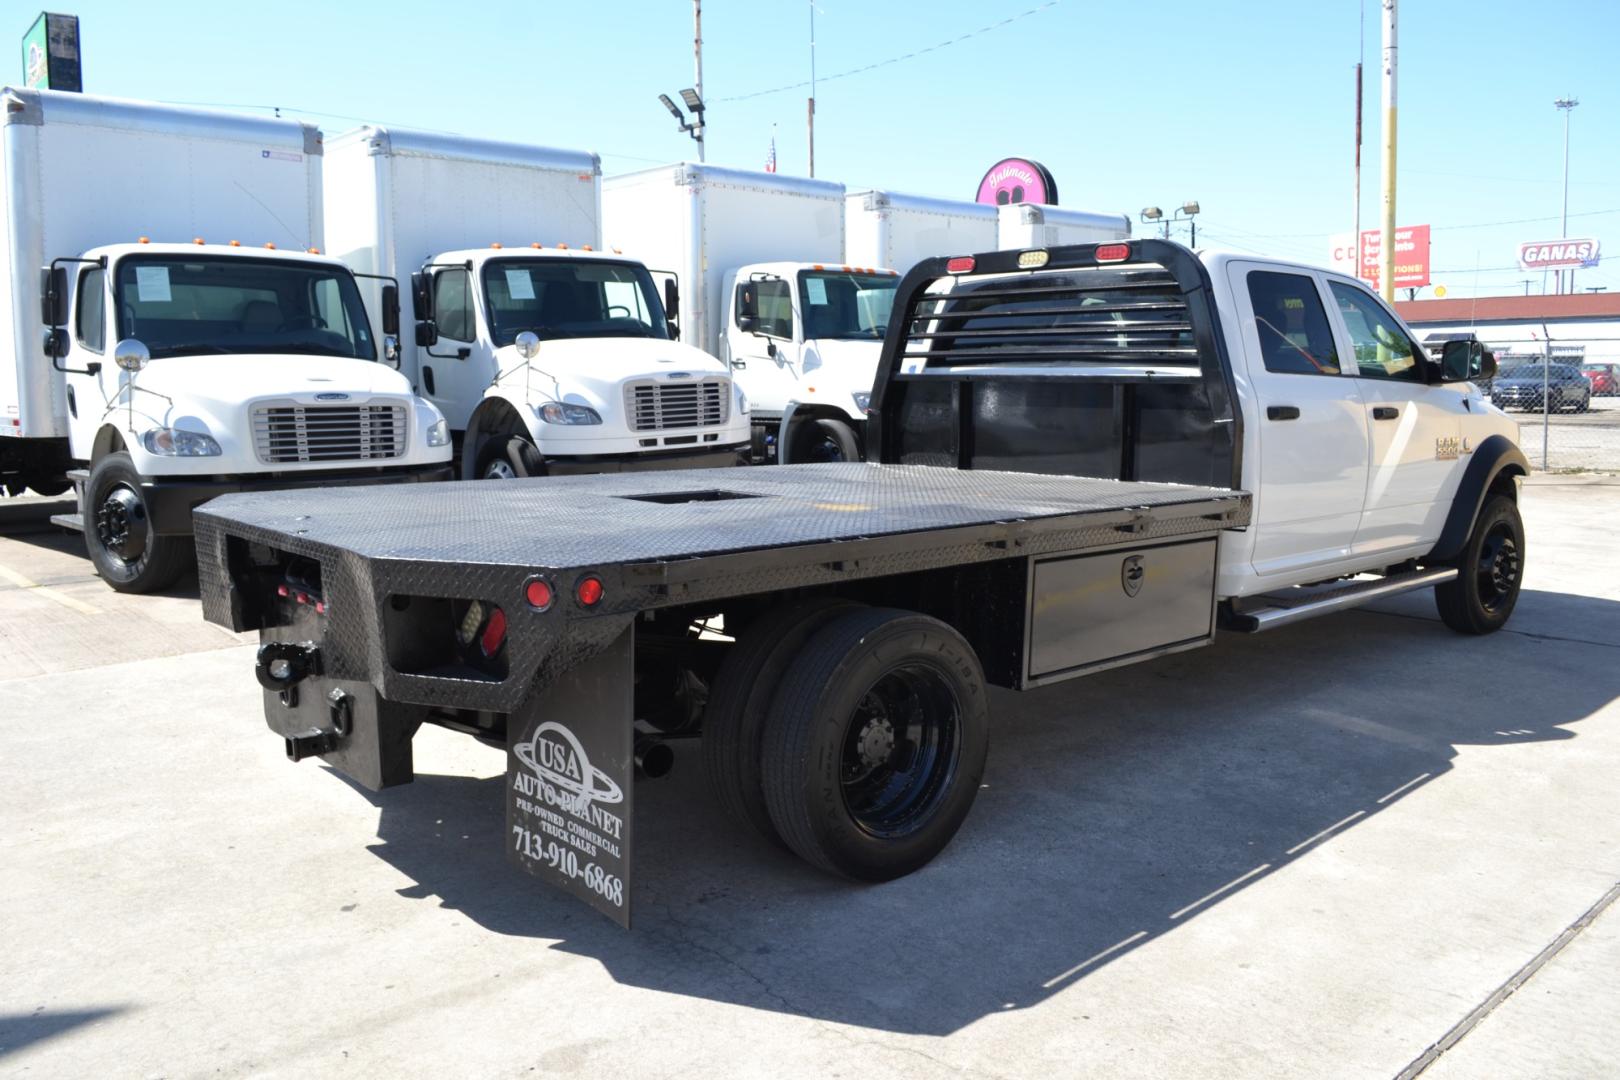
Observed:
{"x":189,"y":307}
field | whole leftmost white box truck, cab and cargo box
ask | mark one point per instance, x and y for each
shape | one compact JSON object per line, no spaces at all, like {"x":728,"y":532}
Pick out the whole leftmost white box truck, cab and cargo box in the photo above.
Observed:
{"x":173,"y":331}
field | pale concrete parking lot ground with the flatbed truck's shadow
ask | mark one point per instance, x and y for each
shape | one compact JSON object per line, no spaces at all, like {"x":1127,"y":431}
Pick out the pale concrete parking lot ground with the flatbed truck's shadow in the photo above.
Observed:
{"x":1334,"y":851}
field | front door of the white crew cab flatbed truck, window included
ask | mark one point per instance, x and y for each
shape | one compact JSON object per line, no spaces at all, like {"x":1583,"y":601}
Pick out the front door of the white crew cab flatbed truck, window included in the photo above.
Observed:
{"x":1413,"y":428}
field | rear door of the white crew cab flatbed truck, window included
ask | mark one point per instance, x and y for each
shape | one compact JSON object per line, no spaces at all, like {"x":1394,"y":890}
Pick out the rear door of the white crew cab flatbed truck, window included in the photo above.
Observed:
{"x":1310,"y":417}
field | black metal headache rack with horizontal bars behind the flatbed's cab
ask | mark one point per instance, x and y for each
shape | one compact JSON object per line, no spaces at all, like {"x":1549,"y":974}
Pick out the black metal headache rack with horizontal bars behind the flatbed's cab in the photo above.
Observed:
{"x":1088,"y":360}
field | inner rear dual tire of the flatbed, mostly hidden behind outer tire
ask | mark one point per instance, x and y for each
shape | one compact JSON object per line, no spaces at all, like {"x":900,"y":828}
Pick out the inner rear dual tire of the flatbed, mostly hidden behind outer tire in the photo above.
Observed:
{"x":741,"y":697}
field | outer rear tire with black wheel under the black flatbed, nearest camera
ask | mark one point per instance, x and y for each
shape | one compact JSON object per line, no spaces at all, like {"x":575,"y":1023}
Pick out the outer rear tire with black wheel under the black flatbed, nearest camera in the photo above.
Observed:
{"x":876,"y":744}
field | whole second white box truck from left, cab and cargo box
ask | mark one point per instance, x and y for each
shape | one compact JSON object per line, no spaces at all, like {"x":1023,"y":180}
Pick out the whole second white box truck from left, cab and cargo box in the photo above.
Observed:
{"x":547,"y":354}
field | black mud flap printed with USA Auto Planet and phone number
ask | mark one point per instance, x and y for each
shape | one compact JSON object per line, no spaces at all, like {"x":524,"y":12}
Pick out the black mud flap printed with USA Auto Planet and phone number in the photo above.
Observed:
{"x":569,"y":781}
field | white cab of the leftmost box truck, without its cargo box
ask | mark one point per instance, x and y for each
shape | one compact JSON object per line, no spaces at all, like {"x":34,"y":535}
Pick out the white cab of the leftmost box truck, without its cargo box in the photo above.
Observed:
{"x":202,"y":370}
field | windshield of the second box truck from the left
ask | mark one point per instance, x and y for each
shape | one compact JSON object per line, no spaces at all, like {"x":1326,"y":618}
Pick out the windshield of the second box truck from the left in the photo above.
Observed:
{"x":571,"y":299}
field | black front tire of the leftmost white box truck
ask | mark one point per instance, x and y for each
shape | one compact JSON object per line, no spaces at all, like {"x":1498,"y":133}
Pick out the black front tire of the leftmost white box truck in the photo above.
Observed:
{"x":127,"y":553}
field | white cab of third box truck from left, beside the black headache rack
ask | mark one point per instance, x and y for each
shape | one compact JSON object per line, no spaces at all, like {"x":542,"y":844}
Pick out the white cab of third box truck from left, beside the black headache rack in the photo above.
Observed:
{"x":804,"y":341}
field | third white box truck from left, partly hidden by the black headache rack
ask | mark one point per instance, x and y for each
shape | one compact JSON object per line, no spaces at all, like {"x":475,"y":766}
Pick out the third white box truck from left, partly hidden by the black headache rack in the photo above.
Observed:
{"x":765,"y":289}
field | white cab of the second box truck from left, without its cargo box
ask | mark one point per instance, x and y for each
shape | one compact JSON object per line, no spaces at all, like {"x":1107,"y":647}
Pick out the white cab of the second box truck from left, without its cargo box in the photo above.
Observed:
{"x":558,"y":360}
